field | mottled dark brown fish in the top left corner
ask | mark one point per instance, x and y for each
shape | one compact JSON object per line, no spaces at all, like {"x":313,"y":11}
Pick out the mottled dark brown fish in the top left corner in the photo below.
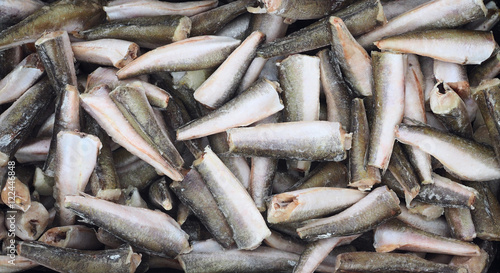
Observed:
{"x":67,"y":15}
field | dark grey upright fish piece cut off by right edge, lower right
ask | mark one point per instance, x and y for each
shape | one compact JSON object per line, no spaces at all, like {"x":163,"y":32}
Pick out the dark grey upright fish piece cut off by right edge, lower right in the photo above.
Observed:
{"x":486,"y":213}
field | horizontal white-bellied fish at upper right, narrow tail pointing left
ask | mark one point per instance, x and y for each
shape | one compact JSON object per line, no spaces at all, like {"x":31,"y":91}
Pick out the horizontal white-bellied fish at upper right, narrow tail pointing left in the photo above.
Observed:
{"x":449,"y":45}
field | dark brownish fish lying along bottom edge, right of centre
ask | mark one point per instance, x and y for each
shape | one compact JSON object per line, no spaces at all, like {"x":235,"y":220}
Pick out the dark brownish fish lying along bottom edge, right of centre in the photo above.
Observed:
{"x":365,"y":262}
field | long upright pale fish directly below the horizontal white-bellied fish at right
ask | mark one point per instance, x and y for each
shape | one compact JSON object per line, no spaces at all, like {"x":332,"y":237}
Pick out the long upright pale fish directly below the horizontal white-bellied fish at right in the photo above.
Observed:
{"x":388,"y":73}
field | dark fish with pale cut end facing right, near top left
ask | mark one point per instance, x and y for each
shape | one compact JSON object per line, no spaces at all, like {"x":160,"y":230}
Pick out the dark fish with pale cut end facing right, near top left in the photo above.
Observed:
{"x":148,"y":32}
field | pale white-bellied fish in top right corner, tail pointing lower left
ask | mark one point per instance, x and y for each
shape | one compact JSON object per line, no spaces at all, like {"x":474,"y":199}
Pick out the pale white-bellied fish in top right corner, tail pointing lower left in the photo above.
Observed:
{"x":431,"y":15}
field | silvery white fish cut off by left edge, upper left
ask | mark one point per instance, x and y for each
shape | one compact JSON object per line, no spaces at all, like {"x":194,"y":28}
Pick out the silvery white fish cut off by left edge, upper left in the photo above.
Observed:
{"x":21,"y":78}
